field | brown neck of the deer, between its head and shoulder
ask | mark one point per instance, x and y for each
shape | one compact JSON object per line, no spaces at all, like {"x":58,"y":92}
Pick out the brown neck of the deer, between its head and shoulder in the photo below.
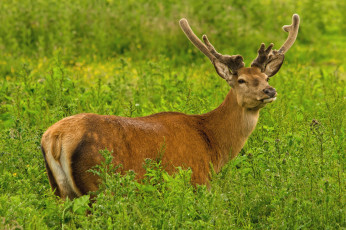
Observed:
{"x":229,"y":125}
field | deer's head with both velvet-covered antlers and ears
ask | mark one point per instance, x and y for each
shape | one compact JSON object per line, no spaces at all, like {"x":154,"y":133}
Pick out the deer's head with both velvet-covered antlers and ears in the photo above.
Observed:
{"x":250,"y":84}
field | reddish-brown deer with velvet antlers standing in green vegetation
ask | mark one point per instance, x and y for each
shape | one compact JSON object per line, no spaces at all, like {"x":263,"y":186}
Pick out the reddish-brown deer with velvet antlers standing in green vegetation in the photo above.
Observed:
{"x":71,"y":146}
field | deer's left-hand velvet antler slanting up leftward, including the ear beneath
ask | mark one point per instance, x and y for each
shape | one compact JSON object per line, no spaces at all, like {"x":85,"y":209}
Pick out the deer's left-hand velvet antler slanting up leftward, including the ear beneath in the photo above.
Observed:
{"x":233,"y":62}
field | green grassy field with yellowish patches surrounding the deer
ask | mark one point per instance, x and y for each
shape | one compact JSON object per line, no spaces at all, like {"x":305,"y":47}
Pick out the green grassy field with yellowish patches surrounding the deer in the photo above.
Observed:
{"x":59,"y":58}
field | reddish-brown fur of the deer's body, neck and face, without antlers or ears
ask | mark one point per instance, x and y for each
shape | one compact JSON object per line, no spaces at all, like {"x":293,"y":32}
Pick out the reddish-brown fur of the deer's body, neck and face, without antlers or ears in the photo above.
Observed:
{"x":192,"y":141}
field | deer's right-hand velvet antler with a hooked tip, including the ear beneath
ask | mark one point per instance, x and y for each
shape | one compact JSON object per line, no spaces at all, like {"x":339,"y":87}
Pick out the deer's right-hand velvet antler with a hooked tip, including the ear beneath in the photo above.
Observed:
{"x":270,"y":61}
